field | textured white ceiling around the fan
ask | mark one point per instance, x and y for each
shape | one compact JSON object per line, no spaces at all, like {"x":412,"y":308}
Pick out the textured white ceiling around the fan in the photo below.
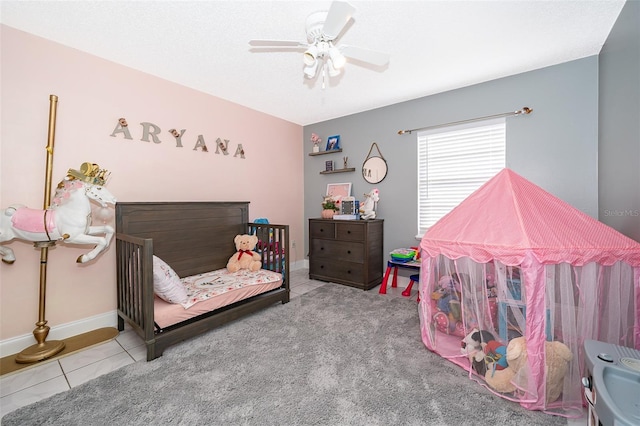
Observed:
{"x":435,"y":46}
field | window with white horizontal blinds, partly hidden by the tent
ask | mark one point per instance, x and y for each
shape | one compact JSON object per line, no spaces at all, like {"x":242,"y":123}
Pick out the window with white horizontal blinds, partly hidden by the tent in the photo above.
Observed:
{"x":455,"y":161}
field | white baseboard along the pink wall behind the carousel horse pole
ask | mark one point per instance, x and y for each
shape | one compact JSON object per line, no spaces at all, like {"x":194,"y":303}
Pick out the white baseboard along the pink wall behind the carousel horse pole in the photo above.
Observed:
{"x":16,"y":344}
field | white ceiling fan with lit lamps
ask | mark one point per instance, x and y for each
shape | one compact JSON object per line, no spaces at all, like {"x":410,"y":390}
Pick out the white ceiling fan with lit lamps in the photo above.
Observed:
{"x":321,"y":52}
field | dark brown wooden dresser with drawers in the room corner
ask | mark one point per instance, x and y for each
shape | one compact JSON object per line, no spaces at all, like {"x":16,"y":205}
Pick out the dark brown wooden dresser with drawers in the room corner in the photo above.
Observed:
{"x":347,"y":252}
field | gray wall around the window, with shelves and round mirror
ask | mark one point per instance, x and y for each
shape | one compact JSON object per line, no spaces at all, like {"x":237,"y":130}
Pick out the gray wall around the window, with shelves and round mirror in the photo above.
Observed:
{"x":555,"y":147}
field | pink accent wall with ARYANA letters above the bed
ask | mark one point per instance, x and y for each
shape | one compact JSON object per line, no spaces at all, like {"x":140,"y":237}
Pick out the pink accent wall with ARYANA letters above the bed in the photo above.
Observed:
{"x":93,"y":94}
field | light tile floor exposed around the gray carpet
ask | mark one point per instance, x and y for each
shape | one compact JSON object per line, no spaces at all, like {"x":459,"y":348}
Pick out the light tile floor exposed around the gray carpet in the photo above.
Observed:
{"x":51,"y":377}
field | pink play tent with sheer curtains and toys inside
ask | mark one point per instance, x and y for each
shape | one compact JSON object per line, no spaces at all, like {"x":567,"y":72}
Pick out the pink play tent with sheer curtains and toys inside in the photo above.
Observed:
{"x":514,"y":261}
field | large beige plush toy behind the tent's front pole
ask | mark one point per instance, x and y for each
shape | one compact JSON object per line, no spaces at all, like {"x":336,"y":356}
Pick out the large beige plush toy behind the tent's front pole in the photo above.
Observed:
{"x":557,"y":358}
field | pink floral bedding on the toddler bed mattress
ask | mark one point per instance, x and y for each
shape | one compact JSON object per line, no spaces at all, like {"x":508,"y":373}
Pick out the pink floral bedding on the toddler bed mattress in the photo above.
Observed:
{"x":214,"y":290}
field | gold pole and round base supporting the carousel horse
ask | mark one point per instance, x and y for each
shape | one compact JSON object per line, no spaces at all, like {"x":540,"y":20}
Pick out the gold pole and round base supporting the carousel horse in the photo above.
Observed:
{"x":42,"y":349}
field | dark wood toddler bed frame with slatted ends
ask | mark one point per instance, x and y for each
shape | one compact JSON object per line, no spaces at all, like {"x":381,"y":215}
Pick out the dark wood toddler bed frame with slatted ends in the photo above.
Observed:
{"x":193,"y":238}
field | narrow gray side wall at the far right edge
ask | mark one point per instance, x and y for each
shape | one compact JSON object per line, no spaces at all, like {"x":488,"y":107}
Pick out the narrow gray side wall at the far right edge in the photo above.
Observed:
{"x":619,"y":150}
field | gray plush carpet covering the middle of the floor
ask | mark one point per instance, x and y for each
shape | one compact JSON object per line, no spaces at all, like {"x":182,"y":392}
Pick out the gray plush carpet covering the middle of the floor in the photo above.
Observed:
{"x":334,"y":356}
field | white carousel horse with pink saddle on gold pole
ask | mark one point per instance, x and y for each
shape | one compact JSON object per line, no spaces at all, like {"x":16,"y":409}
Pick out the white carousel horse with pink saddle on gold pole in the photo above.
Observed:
{"x":68,"y":219}
